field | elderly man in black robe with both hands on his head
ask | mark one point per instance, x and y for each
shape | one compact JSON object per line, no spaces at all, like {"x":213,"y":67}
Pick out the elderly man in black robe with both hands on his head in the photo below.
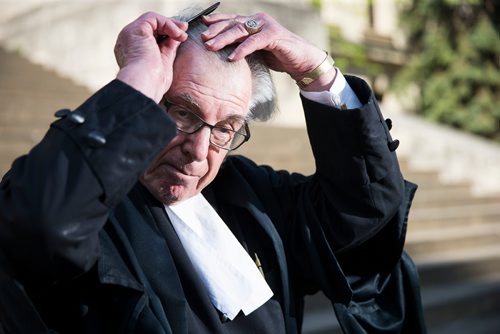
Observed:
{"x":129,"y":216}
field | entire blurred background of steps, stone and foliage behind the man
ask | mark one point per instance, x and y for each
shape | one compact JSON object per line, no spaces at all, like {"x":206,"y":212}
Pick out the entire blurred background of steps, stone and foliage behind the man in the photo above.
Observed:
{"x":433,"y":64}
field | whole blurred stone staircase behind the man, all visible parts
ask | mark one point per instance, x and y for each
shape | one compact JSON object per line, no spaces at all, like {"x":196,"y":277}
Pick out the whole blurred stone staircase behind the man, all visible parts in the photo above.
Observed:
{"x":453,"y":236}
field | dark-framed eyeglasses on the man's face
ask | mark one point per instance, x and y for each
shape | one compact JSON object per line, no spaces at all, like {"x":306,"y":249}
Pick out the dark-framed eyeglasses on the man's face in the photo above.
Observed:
{"x":227,"y":134}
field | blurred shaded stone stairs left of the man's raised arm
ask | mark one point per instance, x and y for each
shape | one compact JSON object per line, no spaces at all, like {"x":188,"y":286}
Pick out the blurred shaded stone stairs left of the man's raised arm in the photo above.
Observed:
{"x":29,"y":96}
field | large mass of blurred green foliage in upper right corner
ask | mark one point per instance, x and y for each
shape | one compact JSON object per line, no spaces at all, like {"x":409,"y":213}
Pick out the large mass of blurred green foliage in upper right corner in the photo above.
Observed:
{"x":455,"y":61}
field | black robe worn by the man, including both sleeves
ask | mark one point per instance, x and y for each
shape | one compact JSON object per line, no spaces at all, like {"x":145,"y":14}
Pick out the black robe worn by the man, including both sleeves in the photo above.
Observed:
{"x":94,"y":253}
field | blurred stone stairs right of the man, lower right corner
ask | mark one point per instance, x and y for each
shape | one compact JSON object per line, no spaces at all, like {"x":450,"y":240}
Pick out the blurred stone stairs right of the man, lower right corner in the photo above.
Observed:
{"x":455,"y":240}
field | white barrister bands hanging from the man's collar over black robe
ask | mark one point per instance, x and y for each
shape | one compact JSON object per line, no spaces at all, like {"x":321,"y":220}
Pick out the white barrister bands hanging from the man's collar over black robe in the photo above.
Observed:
{"x":230,"y":276}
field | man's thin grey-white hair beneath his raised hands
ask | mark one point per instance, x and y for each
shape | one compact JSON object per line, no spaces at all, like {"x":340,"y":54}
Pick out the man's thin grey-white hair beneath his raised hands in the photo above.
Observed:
{"x":262,"y":102}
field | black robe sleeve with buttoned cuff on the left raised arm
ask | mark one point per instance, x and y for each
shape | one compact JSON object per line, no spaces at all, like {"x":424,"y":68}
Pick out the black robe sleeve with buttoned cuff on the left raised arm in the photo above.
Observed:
{"x":56,"y":199}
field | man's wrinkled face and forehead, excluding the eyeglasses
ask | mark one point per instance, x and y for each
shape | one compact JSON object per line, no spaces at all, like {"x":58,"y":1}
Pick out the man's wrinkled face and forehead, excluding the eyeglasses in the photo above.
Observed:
{"x":214,"y":93}
